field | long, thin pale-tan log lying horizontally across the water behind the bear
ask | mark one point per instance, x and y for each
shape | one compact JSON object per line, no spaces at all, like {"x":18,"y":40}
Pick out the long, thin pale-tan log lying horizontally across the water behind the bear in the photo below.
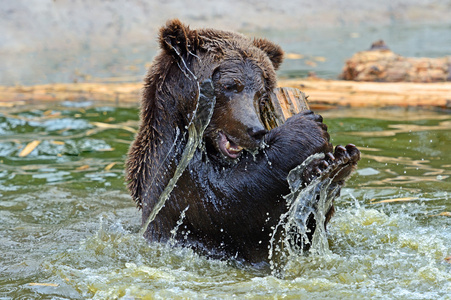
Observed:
{"x":322,"y":93}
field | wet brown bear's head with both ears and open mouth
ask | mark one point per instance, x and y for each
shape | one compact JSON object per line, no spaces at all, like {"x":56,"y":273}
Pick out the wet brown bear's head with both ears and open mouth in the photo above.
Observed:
{"x":243,"y":74}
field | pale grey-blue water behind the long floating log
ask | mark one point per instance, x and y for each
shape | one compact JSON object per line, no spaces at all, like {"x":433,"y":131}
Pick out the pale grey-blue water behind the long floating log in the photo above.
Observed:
{"x":323,"y":50}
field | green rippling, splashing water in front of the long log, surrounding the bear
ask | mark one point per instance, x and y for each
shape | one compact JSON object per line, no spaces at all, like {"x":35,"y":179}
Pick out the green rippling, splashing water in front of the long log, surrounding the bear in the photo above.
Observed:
{"x":69,"y":229}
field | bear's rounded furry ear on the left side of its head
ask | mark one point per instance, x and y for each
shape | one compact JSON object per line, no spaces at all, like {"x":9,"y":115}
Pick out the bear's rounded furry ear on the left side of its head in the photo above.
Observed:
{"x":177,"y":39}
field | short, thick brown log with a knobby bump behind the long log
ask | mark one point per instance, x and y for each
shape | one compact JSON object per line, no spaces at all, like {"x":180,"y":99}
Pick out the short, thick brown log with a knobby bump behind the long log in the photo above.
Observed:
{"x":381,"y":64}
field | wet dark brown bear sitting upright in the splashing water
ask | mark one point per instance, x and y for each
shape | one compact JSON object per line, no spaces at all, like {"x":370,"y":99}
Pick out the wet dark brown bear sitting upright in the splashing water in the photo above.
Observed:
{"x":230,"y":196}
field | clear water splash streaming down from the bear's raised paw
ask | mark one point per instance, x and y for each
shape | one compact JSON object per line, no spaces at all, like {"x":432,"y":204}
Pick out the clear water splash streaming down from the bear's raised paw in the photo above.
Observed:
{"x":307,"y":208}
